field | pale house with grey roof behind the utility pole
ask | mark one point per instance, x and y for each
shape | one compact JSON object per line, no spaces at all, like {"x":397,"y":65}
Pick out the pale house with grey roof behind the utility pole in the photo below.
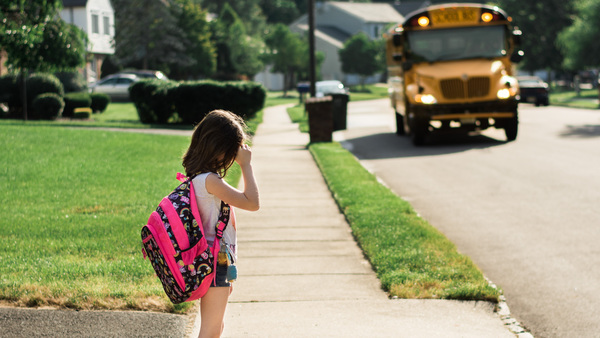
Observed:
{"x":335,"y":22}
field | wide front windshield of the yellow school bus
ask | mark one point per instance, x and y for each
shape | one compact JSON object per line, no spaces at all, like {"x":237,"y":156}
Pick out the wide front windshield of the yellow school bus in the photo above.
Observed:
{"x":456,"y":43}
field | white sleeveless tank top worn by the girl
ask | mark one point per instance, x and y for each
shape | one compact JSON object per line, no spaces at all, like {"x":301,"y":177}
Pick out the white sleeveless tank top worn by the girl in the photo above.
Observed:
{"x":209,"y":207}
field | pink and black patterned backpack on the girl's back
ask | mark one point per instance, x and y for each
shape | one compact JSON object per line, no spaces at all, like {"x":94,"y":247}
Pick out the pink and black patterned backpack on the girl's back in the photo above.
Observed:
{"x":174,"y":242}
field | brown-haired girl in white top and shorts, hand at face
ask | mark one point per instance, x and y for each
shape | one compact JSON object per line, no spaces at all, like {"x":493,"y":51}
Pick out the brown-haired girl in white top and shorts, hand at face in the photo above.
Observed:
{"x":217,"y":142}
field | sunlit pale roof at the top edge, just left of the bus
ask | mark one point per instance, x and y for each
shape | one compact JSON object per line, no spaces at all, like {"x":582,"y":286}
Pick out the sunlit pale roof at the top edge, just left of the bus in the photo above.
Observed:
{"x":370,"y":12}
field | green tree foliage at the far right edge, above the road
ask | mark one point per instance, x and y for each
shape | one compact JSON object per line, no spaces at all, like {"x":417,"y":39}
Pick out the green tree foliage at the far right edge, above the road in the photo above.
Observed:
{"x":579,"y":42}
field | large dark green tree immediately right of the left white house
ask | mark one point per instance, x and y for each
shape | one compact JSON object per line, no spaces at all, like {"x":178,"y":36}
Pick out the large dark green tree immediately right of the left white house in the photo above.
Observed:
{"x":147,"y":35}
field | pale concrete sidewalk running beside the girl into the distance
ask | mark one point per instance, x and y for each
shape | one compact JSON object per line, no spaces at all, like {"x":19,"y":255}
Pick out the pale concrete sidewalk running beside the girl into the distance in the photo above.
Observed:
{"x":301,"y":274}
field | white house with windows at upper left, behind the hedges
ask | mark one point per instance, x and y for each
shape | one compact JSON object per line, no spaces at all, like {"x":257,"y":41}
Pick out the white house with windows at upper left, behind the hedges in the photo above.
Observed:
{"x":97,"y":19}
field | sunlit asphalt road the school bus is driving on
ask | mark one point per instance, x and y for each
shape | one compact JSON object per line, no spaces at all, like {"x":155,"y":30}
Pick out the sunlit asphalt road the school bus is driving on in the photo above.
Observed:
{"x":526,"y":212}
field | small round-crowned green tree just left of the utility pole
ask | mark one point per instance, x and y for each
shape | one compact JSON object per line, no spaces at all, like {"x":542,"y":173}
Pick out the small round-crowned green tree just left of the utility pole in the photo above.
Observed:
{"x":285,"y":51}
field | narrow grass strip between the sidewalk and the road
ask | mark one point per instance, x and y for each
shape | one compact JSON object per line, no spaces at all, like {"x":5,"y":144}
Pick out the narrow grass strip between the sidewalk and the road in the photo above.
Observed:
{"x":411,"y":258}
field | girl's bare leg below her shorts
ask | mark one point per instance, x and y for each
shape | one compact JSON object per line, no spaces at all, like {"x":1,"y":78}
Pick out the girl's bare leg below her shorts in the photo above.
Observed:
{"x":212,"y":311}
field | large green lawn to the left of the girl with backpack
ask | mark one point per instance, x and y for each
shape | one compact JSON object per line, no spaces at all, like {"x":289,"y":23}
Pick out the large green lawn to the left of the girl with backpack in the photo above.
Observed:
{"x":74,"y":205}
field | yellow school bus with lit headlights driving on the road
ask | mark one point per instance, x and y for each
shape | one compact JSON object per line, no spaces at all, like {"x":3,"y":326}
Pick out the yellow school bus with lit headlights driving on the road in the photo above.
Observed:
{"x":451,"y":67}
